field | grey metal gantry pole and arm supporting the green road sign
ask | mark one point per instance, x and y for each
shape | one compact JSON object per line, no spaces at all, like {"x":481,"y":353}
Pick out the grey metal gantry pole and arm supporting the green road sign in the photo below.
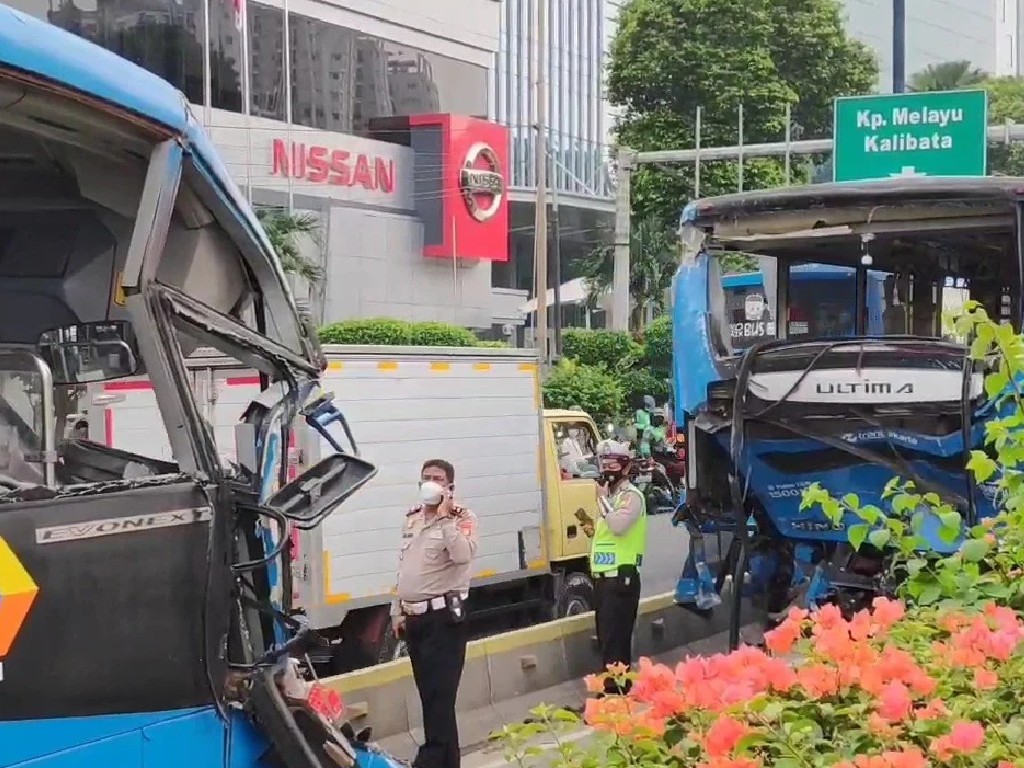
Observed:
{"x":629,"y":160}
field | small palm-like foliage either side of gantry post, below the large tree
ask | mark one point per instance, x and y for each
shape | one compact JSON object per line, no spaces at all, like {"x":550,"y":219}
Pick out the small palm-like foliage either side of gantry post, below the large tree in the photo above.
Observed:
{"x":654,"y":258}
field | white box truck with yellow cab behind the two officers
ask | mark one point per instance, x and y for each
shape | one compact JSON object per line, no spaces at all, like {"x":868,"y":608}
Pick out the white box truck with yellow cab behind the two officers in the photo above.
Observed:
{"x":478,"y":408}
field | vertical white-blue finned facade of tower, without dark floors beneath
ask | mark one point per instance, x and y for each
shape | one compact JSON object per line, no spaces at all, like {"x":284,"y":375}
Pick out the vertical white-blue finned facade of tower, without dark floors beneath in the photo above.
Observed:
{"x":577,"y":111}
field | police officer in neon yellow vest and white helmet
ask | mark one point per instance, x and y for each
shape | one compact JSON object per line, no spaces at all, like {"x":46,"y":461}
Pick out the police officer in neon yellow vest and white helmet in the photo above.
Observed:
{"x":617,"y":553}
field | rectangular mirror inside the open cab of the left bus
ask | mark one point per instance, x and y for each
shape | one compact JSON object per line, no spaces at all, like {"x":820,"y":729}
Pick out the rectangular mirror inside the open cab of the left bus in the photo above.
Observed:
{"x":90,"y":353}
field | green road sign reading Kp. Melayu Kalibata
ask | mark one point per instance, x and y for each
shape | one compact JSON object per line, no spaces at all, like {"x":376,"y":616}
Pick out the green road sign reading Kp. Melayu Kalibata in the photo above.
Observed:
{"x":911,"y":135}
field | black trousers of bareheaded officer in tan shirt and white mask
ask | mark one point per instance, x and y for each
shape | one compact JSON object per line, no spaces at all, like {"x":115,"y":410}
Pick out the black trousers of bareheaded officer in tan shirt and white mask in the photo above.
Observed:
{"x":438,"y":651}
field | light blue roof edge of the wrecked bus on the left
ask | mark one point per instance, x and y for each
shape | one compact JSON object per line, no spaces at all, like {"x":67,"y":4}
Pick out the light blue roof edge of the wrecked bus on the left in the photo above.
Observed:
{"x":35,"y":48}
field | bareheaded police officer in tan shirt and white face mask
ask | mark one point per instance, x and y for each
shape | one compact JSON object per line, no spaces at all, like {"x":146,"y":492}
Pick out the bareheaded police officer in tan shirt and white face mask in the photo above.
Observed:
{"x":439,"y":543}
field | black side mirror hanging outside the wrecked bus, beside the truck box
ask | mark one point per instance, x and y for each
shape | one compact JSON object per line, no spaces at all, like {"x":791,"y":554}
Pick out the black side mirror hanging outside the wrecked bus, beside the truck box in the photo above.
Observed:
{"x":309,"y":499}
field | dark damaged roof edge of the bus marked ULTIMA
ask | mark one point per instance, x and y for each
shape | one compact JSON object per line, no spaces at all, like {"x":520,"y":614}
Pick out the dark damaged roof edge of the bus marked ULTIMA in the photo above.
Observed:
{"x":708,"y":211}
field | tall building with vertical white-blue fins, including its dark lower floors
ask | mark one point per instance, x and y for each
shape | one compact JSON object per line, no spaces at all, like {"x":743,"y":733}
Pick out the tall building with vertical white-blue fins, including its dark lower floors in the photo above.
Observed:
{"x":579,"y":172}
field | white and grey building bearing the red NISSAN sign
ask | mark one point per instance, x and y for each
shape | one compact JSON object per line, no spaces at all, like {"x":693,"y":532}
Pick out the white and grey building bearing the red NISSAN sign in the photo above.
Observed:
{"x":322,"y":118}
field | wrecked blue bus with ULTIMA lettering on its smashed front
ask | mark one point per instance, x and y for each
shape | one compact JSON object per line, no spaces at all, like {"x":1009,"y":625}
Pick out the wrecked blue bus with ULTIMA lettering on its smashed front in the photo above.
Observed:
{"x":774,"y":404}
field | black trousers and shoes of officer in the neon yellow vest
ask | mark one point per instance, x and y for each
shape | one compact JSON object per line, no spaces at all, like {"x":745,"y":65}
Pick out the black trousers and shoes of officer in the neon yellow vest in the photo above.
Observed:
{"x":618,"y":600}
